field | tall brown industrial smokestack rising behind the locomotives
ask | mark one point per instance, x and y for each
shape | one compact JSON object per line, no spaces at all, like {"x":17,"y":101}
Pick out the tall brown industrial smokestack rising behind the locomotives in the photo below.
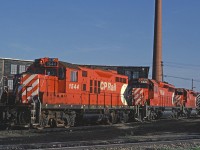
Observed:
{"x":157,"y":49}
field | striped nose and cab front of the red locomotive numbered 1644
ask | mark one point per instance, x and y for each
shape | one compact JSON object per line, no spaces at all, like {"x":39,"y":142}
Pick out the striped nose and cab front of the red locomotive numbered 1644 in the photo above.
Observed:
{"x":36,"y":80}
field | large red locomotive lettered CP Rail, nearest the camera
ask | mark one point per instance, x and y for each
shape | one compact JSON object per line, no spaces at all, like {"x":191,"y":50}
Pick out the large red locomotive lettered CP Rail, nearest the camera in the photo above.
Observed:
{"x":54,"y":92}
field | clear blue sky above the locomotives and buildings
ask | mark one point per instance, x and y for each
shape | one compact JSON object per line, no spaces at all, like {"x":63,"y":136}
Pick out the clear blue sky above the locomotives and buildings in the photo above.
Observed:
{"x":105,"y":32}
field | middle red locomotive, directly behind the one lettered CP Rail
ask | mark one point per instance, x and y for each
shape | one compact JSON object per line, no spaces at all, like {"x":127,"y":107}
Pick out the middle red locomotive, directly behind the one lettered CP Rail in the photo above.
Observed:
{"x":152,"y":98}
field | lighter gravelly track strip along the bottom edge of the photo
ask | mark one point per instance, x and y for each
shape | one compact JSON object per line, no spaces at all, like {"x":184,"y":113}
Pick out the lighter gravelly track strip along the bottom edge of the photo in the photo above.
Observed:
{"x":183,"y":143}
